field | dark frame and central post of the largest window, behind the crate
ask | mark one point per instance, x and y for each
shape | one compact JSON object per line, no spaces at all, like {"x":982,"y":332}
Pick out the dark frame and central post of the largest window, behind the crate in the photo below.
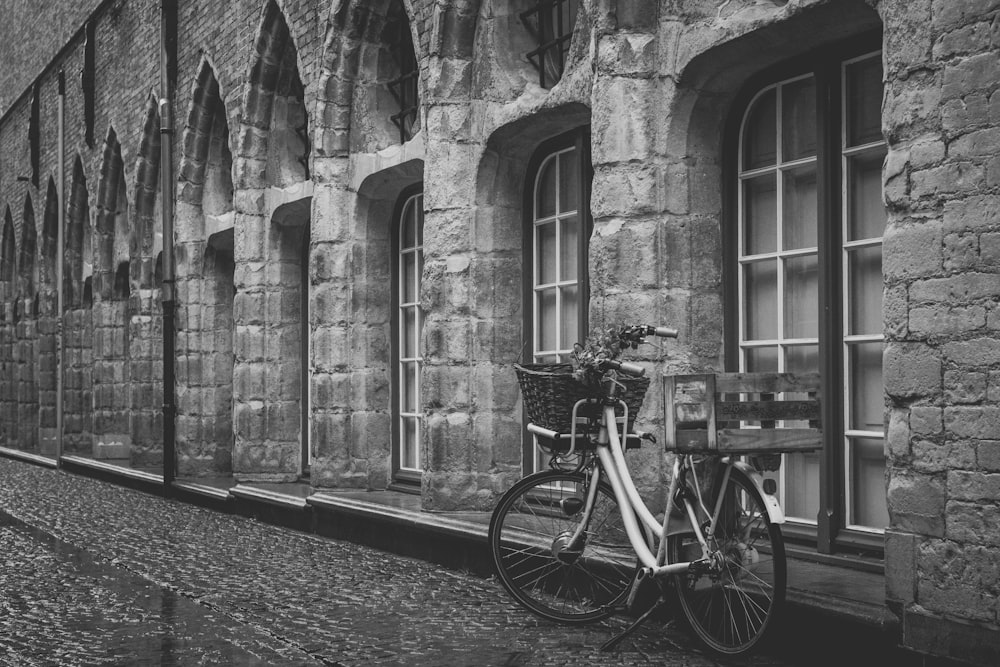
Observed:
{"x":832,"y":533}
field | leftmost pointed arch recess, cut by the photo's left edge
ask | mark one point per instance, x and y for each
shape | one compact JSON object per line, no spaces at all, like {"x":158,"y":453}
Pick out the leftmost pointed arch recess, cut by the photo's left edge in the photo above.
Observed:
{"x":8,"y":384}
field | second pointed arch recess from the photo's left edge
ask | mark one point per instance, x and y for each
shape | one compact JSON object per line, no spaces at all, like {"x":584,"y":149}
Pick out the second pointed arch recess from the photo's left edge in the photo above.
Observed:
{"x":27,"y":332}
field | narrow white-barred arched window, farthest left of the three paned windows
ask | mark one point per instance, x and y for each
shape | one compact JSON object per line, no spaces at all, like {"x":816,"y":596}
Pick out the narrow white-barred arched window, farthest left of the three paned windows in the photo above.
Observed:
{"x":407,"y":326}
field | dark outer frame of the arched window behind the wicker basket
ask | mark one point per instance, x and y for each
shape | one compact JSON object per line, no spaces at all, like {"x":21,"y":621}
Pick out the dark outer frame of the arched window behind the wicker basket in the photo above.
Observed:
{"x":578,"y":139}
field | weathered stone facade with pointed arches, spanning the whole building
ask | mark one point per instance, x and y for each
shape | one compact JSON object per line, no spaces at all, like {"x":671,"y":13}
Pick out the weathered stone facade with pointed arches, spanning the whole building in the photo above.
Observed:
{"x":287,"y":174}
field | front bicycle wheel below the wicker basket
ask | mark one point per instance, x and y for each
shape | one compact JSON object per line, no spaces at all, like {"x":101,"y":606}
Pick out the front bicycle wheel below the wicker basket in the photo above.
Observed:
{"x":536,"y":560}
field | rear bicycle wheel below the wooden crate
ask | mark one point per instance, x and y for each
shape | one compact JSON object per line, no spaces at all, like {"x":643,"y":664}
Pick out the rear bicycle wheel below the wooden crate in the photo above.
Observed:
{"x":732,"y":602}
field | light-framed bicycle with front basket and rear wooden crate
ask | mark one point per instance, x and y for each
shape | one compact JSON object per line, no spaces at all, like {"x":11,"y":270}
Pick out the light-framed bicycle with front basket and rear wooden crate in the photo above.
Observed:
{"x":576,"y":543}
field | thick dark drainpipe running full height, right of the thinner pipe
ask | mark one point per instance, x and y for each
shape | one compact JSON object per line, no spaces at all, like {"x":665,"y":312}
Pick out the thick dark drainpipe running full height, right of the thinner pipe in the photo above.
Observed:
{"x":167,"y":9}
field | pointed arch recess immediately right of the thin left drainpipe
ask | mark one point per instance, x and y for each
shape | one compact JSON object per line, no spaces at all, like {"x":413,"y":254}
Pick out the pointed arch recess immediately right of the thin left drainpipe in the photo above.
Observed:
{"x":78,"y":267}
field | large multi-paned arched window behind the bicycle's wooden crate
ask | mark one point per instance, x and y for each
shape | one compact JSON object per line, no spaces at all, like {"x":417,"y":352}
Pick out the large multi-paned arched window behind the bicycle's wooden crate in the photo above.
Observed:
{"x":808,"y":277}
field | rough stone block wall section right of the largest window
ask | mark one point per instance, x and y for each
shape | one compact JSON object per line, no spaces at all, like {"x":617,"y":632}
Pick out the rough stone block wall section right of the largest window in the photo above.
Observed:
{"x":941,"y":271}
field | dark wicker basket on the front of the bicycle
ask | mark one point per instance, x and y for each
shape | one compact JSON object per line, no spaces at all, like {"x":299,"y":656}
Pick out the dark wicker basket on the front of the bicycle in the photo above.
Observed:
{"x":550,"y":391}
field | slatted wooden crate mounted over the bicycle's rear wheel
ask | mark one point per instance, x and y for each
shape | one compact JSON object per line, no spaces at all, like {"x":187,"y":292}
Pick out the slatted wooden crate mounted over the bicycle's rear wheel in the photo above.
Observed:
{"x":741,"y":413}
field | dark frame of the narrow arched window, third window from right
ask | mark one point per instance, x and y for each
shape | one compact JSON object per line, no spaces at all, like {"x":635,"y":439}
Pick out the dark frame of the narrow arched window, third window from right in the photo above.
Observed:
{"x":403,"y":479}
